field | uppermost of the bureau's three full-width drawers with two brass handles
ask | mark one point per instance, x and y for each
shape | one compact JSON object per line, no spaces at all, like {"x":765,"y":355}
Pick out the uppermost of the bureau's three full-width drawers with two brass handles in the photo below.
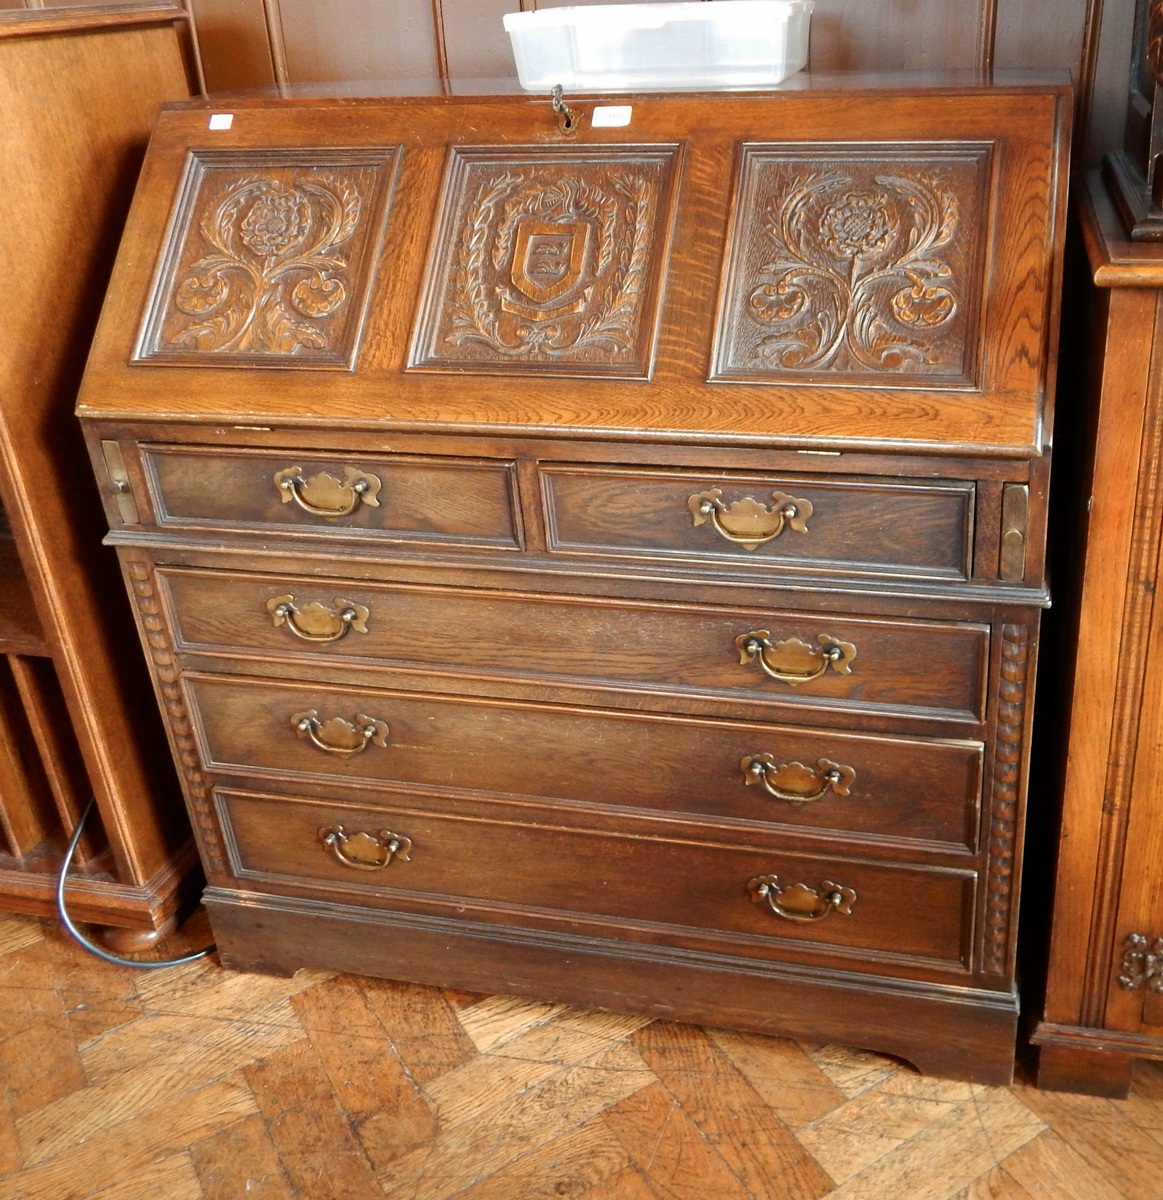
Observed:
{"x":879,"y":664}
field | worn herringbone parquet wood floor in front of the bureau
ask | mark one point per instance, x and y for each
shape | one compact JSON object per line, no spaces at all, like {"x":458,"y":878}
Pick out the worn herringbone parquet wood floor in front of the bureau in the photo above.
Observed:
{"x":201,"y":1084}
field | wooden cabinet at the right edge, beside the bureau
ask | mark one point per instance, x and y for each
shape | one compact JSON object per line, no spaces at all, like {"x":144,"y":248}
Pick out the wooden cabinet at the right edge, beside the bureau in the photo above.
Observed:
{"x":1104,"y":1006}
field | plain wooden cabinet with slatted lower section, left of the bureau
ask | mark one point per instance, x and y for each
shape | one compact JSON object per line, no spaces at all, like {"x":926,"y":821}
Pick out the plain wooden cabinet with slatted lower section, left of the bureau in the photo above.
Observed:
{"x":80,"y":93}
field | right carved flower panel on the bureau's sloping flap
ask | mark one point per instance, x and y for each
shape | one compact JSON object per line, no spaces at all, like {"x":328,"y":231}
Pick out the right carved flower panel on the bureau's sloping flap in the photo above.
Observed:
{"x":862,"y":265}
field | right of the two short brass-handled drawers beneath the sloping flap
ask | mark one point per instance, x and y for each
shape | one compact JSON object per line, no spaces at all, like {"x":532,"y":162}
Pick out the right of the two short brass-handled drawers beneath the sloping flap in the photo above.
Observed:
{"x":782,"y":523}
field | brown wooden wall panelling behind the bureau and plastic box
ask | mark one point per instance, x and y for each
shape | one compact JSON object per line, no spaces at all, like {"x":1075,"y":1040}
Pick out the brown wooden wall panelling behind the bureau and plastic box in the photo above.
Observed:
{"x":251,"y":44}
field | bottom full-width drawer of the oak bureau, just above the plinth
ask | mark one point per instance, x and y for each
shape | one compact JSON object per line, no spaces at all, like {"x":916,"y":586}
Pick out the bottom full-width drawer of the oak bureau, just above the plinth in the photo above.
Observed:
{"x":512,"y":867}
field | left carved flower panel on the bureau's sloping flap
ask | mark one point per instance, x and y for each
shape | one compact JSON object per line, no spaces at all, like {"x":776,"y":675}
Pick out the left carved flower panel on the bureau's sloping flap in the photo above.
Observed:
{"x":269,"y":259}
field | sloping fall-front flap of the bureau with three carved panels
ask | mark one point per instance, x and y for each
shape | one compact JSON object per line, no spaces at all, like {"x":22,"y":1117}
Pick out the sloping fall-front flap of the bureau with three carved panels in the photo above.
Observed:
{"x":754,"y":268}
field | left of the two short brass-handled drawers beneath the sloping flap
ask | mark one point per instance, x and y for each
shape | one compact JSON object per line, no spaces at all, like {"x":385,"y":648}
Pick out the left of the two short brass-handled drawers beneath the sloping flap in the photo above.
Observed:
{"x":407,"y":499}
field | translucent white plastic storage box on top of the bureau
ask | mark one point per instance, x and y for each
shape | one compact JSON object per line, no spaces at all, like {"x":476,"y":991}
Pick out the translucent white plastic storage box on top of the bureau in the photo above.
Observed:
{"x":708,"y":44}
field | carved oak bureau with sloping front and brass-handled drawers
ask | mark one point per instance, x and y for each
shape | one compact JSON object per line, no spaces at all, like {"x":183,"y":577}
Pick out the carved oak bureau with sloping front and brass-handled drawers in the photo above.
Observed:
{"x":595,"y":550}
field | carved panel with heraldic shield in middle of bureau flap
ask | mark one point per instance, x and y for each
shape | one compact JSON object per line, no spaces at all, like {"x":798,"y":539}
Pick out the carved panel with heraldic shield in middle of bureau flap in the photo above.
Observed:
{"x":548,"y":262}
